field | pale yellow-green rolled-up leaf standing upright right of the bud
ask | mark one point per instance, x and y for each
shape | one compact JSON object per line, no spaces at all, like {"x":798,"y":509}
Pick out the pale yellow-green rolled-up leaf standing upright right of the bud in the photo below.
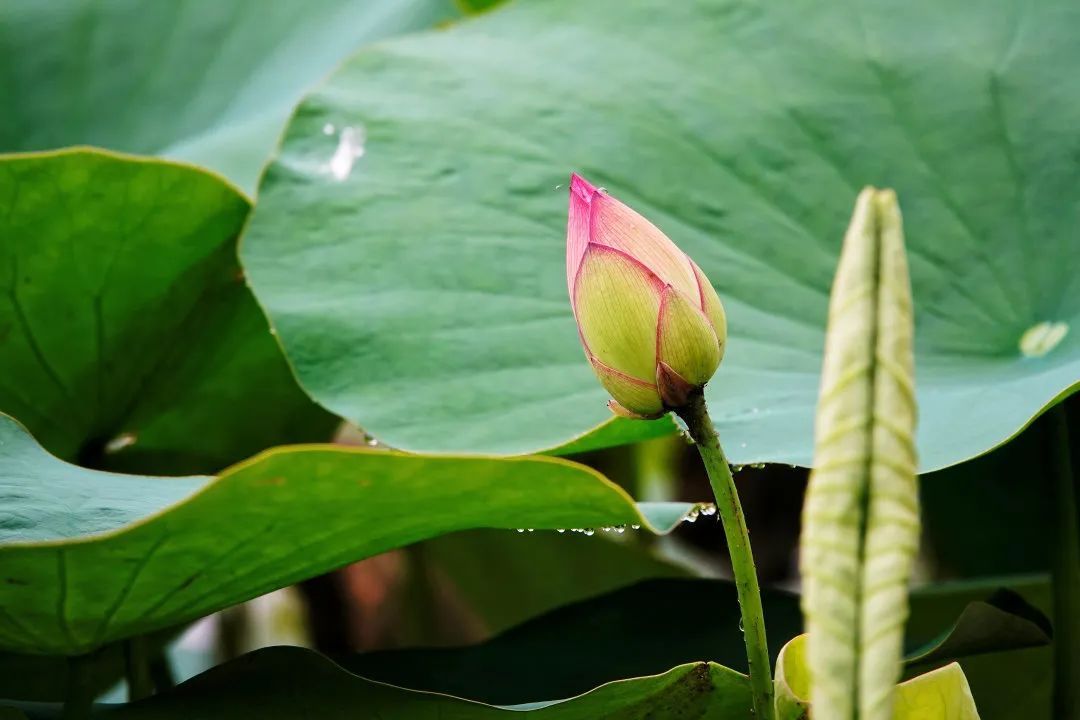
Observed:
{"x":861,"y":515}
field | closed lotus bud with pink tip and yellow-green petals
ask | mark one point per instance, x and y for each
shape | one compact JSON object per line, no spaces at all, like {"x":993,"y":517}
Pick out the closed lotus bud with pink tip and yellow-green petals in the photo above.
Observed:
{"x":652,"y":324}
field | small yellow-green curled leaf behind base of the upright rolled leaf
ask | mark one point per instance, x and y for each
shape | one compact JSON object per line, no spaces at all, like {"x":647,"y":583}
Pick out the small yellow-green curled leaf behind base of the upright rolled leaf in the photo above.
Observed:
{"x":941,"y":695}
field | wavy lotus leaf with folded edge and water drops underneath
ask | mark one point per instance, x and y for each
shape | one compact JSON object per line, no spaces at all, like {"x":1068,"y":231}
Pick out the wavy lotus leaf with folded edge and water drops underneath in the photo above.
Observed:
{"x":88,"y":558}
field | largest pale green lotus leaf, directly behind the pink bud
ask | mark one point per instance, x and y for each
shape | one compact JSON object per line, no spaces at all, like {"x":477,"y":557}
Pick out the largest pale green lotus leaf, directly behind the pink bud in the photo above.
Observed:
{"x":745,"y":130}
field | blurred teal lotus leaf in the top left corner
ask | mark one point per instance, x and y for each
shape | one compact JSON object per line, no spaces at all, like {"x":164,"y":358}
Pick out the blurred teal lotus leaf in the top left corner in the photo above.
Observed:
{"x":197,"y":80}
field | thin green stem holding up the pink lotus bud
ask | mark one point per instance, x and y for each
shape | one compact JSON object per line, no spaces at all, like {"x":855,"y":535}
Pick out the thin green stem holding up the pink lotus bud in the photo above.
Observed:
{"x":696,"y":416}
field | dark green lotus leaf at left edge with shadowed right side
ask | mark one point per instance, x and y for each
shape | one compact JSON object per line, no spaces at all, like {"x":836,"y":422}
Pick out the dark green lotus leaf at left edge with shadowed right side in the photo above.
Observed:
{"x":130,"y":338}
